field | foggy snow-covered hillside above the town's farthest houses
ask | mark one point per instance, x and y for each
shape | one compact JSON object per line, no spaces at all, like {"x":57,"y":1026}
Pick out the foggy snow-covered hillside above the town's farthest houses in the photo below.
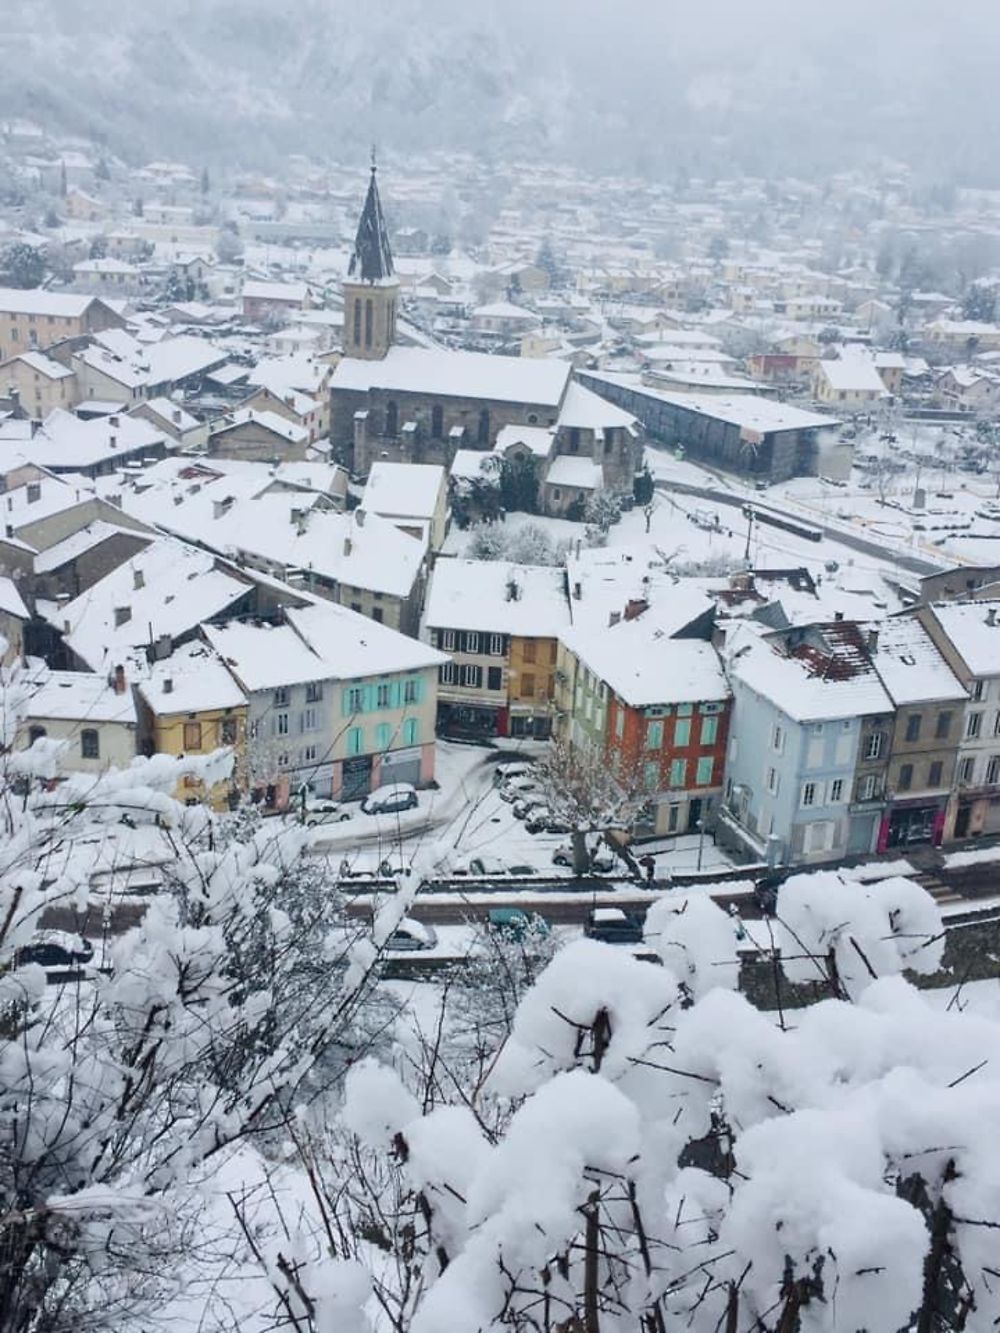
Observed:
{"x":643,"y":86}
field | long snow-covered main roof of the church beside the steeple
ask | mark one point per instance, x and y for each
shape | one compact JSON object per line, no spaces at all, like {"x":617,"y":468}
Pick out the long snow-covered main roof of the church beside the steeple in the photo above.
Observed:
{"x":461,"y":375}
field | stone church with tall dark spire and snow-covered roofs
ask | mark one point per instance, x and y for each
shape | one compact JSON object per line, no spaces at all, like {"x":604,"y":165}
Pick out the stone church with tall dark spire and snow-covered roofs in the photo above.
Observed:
{"x":413,"y":405}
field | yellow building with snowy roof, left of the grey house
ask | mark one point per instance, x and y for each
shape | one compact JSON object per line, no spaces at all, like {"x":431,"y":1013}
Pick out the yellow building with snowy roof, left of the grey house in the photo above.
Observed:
{"x":193,"y":706}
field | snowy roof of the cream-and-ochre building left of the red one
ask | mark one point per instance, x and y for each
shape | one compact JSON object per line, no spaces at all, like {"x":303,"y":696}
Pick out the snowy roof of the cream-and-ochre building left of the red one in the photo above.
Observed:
{"x":498,"y":598}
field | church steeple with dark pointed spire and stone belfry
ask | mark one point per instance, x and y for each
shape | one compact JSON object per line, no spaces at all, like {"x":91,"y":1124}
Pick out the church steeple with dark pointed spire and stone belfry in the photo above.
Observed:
{"x":371,"y":287}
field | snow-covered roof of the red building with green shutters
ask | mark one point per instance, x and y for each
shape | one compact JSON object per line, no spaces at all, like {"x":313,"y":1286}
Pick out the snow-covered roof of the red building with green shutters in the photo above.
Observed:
{"x":643,"y":666}
